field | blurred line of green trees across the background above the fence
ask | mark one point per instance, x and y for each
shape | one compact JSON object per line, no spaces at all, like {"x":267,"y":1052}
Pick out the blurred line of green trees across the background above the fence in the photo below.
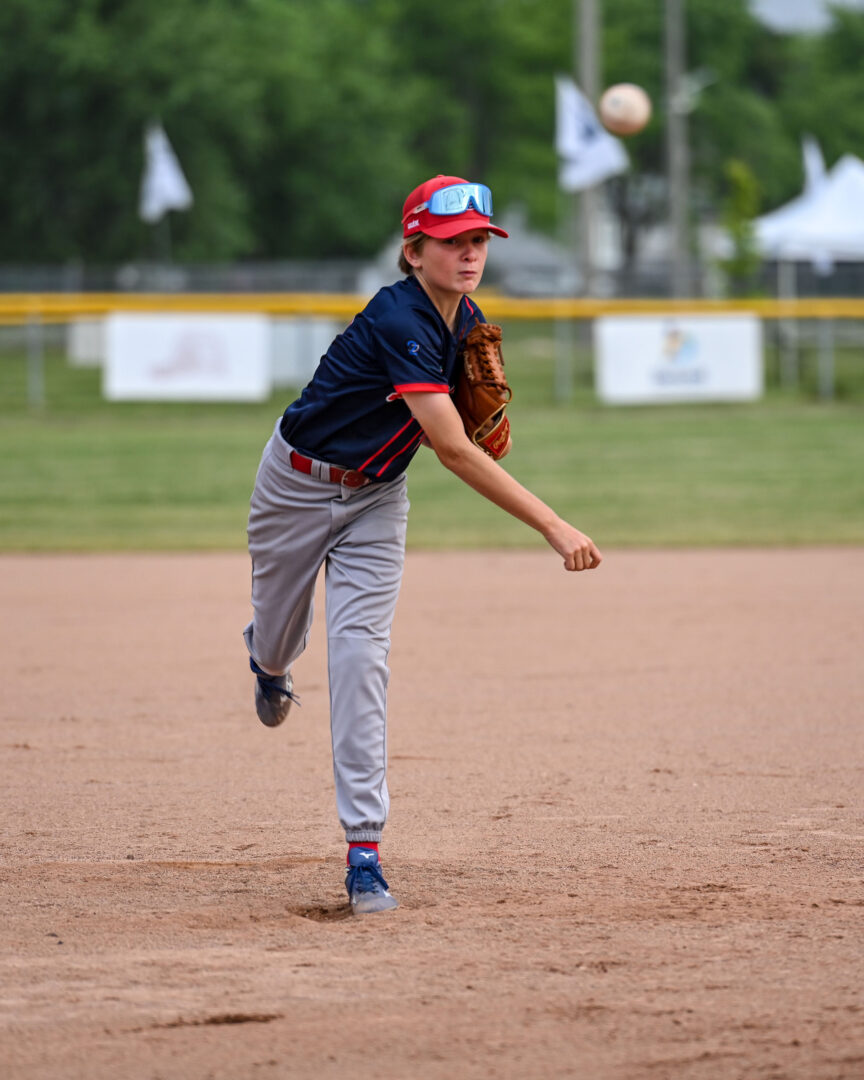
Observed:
{"x":301,"y":125}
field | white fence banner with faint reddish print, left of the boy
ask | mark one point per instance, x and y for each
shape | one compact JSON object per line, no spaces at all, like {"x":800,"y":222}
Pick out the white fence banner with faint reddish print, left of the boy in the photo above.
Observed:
{"x":187,"y":358}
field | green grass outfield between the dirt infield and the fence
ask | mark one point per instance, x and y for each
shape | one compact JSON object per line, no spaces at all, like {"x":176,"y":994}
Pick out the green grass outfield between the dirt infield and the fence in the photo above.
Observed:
{"x":83,"y":475}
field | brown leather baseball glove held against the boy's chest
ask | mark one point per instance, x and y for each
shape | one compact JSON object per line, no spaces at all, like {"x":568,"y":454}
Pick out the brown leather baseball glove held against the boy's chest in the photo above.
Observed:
{"x":482,"y":391}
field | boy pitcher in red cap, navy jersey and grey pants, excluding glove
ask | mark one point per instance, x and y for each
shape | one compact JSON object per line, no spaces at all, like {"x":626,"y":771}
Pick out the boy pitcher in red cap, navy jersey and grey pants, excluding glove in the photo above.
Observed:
{"x":331,"y":492}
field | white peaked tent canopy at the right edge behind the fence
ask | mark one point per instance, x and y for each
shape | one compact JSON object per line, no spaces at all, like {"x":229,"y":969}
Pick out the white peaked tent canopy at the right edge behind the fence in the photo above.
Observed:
{"x":826,"y":223}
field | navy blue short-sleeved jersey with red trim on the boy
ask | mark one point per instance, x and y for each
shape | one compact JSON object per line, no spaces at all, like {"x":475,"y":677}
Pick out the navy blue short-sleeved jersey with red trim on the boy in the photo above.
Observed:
{"x":353,"y":413}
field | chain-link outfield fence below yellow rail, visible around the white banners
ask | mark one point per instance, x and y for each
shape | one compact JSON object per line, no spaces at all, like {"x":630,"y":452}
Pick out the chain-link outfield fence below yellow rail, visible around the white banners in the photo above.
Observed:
{"x":49,"y":361}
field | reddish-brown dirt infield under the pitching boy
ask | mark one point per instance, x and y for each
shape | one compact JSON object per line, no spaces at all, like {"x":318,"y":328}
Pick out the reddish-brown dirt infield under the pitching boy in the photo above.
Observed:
{"x":626,"y":831}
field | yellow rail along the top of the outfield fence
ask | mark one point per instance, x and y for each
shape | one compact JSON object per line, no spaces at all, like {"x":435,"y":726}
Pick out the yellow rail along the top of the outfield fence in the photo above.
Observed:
{"x":19,"y":308}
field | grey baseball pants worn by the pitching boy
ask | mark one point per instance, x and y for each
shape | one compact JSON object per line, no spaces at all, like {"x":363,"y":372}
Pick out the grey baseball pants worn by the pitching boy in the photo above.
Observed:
{"x":299,"y":523}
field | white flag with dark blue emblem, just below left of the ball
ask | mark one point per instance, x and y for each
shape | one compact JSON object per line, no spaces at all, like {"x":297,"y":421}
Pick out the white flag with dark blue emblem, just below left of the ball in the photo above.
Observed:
{"x":589,"y":154}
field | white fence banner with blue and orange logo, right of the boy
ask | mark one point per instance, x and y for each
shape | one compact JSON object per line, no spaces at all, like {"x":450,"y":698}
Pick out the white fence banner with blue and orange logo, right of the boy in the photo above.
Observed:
{"x":645,"y":359}
